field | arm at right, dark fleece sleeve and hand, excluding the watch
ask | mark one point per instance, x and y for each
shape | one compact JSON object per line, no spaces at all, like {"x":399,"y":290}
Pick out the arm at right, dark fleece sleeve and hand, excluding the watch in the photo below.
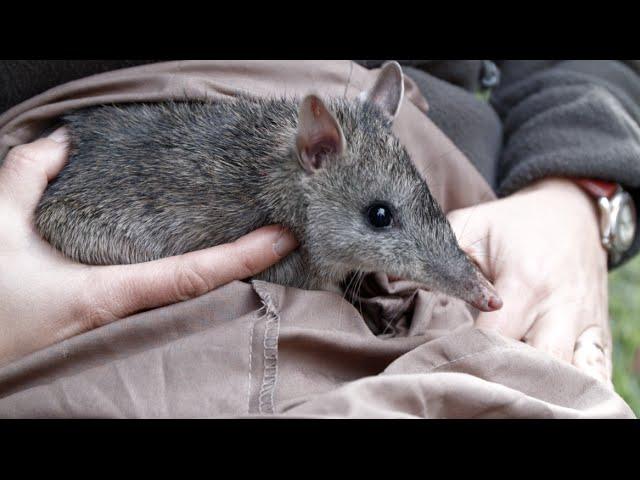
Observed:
{"x":541,"y":242}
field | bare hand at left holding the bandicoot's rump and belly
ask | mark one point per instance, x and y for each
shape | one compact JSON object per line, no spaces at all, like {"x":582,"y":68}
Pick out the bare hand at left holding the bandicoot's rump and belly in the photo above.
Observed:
{"x":47,"y":298}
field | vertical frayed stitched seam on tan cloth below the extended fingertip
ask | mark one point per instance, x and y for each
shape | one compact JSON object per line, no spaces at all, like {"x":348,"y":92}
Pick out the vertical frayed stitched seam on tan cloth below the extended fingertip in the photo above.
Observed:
{"x":270,"y":343}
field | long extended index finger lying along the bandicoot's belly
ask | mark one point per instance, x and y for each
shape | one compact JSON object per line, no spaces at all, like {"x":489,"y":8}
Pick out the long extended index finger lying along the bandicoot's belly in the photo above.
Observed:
{"x":123,"y":290}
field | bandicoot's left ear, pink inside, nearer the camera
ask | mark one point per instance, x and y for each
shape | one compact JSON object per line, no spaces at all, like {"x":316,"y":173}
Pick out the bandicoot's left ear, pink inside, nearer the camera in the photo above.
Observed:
{"x":319,"y":134}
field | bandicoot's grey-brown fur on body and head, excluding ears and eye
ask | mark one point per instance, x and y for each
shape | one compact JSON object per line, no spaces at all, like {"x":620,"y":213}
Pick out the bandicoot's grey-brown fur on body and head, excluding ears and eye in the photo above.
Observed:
{"x":146,"y":181}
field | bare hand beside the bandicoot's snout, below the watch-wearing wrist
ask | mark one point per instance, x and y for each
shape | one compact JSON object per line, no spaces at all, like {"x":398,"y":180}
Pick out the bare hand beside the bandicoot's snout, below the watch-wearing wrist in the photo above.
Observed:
{"x":541,"y":247}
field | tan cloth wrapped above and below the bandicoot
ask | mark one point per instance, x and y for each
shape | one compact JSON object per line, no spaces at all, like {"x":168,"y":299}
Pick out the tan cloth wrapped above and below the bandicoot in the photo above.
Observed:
{"x":263,"y":349}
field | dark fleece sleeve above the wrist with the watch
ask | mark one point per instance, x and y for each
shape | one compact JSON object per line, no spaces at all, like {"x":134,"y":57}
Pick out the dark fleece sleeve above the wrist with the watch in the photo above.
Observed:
{"x":572,"y":118}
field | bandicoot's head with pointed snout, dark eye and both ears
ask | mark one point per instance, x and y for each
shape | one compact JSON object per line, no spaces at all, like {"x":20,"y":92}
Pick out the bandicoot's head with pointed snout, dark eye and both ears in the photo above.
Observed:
{"x":368,"y":208}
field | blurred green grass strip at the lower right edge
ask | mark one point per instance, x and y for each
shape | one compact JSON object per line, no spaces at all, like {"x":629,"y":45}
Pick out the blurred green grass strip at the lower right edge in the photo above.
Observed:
{"x":624,"y":307}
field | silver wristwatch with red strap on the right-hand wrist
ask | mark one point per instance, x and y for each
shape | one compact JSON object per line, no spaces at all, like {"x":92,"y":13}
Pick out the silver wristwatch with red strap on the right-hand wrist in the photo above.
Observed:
{"x":617,"y":216}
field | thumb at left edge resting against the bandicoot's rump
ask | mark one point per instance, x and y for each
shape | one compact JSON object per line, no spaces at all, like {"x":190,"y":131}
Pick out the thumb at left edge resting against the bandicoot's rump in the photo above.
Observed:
{"x":27,"y":169}
